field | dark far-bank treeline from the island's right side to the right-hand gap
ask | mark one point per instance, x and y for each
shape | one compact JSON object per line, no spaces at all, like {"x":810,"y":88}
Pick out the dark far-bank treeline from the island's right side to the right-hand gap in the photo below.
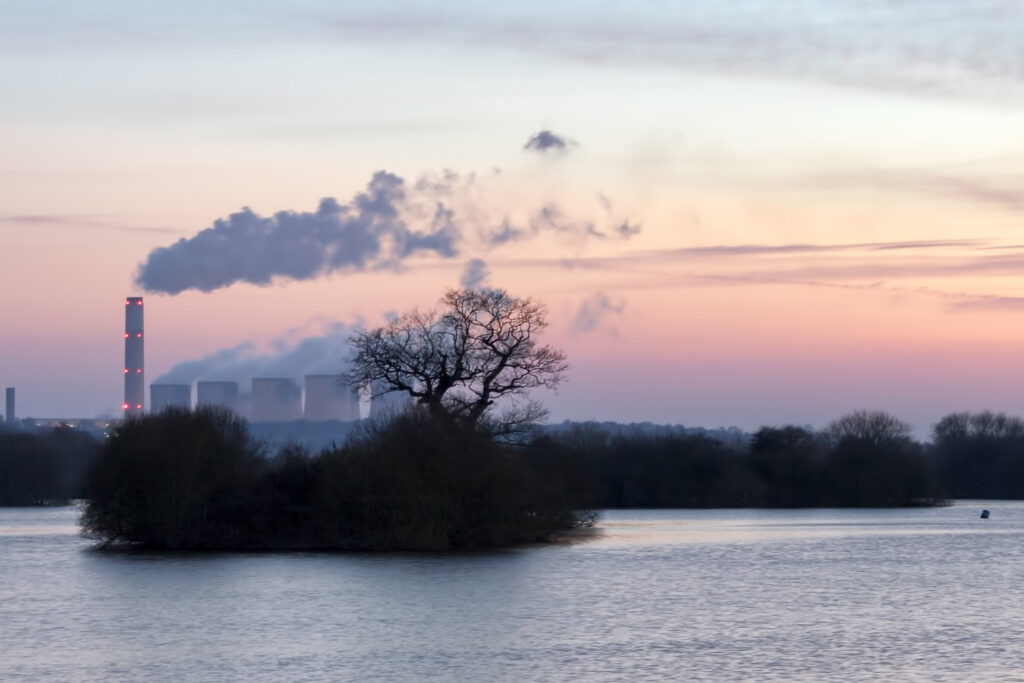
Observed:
{"x":863,"y":460}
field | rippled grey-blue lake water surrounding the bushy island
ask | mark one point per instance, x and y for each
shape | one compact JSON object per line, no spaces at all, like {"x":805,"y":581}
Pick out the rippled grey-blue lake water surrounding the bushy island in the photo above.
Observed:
{"x":723,"y":595}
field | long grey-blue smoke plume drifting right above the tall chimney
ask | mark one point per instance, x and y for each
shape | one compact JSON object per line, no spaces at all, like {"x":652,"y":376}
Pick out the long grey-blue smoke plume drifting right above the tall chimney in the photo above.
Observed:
{"x":383,"y":227}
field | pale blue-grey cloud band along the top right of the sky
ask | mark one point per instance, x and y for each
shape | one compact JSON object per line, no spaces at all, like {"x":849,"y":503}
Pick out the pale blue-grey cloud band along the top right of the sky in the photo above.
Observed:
{"x":956,"y":49}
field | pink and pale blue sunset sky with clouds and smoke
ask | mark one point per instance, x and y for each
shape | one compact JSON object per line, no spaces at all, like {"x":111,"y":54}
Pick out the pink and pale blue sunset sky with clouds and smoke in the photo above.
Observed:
{"x":760,"y":212}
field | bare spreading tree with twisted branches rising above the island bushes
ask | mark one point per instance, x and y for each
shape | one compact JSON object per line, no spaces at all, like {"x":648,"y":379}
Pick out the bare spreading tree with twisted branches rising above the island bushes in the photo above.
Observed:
{"x":457,"y":363}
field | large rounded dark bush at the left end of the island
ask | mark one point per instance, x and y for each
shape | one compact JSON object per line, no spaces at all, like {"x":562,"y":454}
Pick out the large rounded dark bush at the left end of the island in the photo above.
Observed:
{"x":179,"y":480}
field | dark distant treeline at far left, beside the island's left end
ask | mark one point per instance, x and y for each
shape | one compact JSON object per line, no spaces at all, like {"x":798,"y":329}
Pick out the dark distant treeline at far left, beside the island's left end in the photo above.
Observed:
{"x":45,"y":467}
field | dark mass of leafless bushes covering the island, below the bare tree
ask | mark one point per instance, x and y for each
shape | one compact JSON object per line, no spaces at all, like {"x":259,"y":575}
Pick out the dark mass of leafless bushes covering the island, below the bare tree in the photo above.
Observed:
{"x":198,"y":481}
